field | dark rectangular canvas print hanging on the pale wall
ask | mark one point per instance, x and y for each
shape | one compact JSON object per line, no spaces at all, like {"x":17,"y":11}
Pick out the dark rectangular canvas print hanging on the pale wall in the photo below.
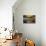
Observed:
{"x":29,"y":18}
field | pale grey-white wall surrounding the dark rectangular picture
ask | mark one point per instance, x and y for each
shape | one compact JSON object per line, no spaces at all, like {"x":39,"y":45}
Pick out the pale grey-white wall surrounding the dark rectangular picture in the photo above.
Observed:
{"x":30,"y":31}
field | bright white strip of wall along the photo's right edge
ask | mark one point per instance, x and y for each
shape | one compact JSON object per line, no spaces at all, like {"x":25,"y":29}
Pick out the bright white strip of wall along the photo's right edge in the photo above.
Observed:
{"x":43,"y":22}
